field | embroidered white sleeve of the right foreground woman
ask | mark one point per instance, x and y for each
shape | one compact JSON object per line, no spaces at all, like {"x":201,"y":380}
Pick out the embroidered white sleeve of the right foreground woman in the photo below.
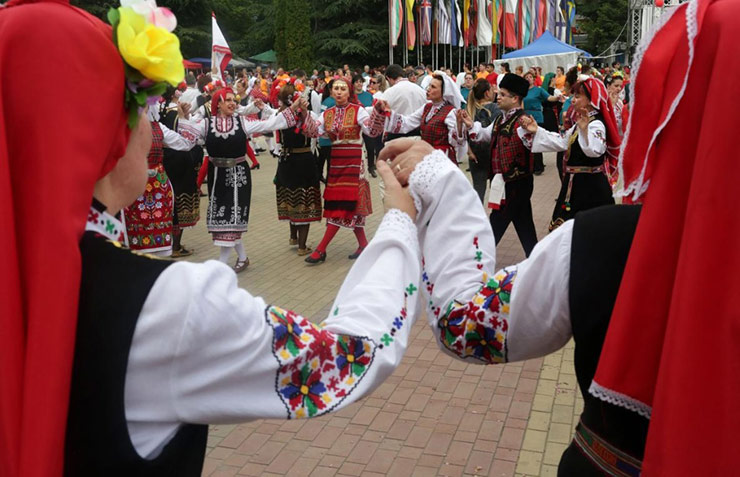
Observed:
{"x":516,"y":313}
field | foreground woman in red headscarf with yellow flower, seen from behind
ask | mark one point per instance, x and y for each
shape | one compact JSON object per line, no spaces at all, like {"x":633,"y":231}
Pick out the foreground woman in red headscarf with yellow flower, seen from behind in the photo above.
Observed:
{"x":100,"y":376}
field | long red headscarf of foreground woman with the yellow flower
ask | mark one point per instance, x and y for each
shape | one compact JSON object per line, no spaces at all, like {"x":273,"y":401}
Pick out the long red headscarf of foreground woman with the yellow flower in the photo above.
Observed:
{"x":50,"y":158}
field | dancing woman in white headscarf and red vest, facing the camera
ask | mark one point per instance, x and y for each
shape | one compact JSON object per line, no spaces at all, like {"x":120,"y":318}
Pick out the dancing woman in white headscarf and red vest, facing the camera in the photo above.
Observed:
{"x":437,"y":119}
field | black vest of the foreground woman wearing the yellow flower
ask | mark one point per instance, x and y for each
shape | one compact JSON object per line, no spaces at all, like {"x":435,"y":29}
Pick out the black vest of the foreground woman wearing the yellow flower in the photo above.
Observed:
{"x":115,"y":284}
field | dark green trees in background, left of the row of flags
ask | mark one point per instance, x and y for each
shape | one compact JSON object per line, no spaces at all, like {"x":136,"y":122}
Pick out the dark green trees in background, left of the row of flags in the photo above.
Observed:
{"x":305,"y":33}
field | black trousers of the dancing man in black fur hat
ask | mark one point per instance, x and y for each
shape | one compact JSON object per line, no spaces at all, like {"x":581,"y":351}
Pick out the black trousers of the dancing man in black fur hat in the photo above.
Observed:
{"x":517,"y":208}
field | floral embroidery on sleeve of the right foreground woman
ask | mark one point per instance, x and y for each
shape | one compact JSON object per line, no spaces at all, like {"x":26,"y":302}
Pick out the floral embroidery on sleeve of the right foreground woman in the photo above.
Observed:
{"x":478,"y":328}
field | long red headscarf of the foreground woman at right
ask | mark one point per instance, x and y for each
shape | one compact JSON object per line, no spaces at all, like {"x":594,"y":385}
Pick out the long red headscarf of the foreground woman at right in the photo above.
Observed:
{"x":671,"y":351}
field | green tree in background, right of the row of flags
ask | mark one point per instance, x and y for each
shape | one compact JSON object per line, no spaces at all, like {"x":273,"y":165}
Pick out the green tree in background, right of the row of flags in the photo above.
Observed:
{"x":602,"y":21}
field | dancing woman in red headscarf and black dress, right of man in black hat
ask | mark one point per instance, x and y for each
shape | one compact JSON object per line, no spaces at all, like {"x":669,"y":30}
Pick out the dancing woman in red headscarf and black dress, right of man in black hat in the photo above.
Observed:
{"x":591,"y":148}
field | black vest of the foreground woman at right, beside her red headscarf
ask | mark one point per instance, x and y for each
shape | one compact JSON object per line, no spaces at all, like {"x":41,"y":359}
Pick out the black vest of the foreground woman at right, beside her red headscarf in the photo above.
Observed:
{"x":602,"y":238}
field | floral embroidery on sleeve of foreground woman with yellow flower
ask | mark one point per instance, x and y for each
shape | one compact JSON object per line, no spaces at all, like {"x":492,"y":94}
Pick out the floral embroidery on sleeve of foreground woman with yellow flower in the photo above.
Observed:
{"x":318,"y":369}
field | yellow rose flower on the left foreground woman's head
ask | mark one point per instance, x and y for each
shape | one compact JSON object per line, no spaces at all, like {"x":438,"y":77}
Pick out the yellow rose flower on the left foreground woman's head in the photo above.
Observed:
{"x":152,"y":50}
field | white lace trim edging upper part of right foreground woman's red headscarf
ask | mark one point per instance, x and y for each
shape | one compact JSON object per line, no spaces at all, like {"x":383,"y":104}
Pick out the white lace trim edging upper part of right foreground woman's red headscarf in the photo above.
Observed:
{"x":640,"y":185}
